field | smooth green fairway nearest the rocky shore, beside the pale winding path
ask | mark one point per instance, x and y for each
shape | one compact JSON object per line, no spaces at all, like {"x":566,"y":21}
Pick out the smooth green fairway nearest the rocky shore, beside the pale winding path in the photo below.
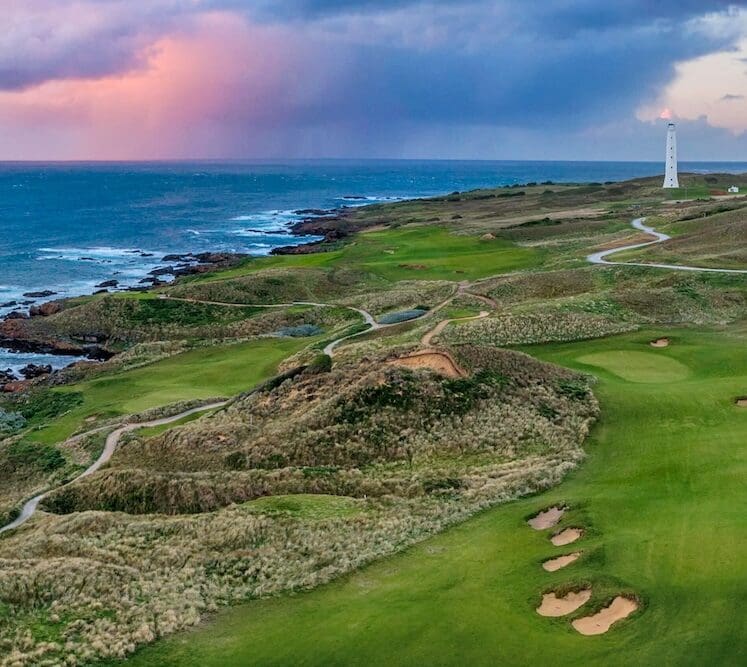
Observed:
{"x":202,"y":373}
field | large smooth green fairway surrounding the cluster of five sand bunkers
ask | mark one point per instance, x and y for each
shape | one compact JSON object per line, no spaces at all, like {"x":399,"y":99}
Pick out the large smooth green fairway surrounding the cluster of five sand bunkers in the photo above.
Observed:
{"x":661,"y":496}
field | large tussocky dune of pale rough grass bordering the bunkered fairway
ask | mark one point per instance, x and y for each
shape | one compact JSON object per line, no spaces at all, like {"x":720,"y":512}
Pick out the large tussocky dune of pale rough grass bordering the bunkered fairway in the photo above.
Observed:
{"x":509,"y":429}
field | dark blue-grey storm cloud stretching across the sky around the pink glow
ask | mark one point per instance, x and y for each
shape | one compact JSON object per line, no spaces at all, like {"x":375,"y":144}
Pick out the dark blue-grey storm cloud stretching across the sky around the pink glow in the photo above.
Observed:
{"x":380,"y":68}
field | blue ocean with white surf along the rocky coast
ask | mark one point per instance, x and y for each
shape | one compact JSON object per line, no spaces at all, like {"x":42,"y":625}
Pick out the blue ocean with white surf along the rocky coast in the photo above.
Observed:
{"x":67,"y":227}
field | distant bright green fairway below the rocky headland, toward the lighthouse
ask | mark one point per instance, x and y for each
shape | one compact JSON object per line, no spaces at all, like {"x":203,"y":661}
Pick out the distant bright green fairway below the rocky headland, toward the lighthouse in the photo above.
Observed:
{"x":408,"y":253}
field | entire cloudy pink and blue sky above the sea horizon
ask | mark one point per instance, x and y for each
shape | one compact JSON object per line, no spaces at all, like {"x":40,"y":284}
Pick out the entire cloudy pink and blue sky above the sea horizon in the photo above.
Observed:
{"x":473,"y":79}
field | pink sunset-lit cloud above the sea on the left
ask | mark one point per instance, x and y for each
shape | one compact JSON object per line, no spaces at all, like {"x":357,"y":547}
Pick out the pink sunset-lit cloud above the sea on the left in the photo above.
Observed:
{"x":199,"y":90}
